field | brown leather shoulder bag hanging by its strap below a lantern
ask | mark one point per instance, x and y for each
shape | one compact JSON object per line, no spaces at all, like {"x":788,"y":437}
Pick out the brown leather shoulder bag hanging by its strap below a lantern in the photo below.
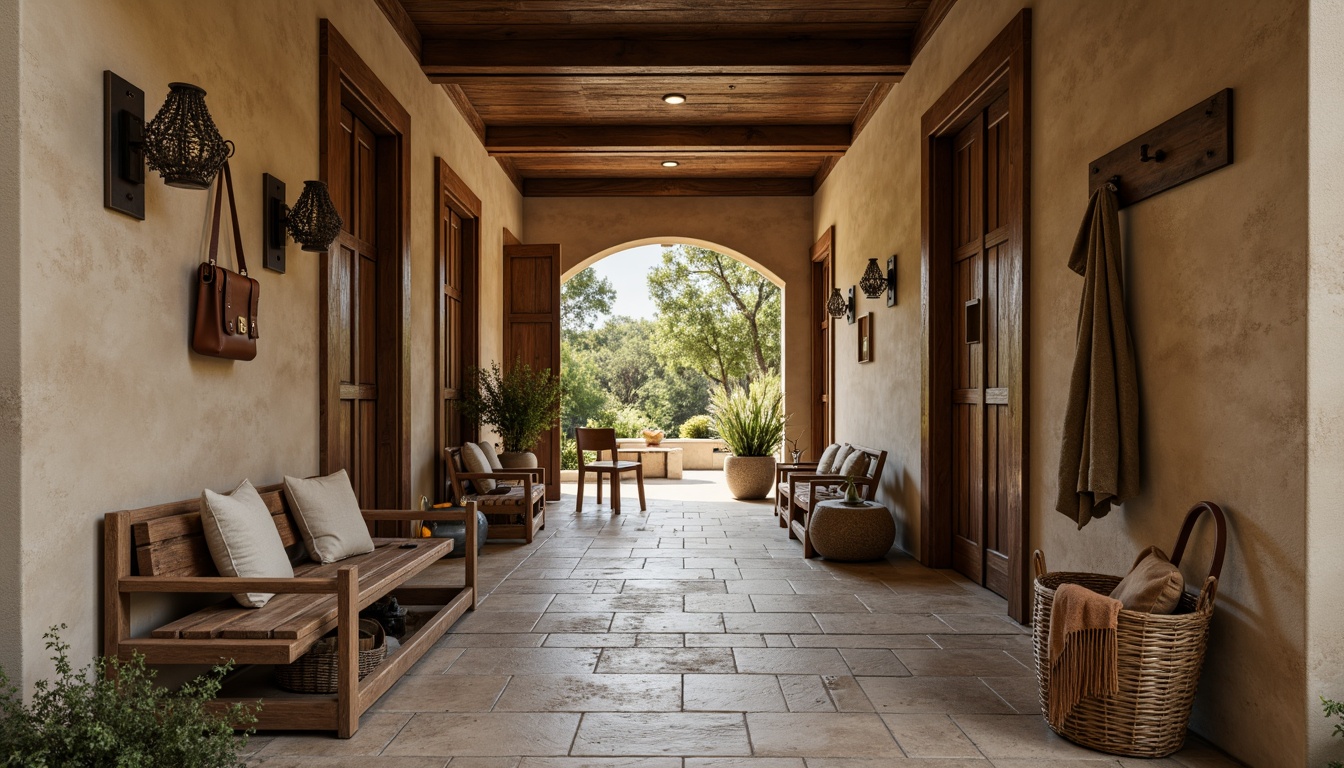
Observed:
{"x":226,"y":302}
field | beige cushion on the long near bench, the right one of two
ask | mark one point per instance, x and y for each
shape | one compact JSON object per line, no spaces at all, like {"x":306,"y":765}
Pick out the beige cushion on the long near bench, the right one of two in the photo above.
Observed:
{"x":329,"y":517}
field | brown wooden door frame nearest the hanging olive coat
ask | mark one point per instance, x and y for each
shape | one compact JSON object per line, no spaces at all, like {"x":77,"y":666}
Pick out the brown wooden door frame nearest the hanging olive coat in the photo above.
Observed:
{"x":1003,"y":68}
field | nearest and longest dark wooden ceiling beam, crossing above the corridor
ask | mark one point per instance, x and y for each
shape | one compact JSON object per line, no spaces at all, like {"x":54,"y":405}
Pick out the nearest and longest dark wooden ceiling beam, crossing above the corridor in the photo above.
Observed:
{"x":456,"y":60}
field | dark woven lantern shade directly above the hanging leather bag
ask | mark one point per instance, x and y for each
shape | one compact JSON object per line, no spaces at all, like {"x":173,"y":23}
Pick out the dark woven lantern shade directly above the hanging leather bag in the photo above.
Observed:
{"x":182,"y":142}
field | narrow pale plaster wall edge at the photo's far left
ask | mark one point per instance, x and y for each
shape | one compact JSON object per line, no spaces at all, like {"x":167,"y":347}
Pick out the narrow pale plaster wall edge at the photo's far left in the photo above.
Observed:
{"x":11,"y":270}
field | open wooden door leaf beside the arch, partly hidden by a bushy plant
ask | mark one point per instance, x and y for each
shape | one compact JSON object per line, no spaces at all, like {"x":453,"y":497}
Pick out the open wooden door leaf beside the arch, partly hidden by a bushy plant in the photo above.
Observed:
{"x":533,"y":330}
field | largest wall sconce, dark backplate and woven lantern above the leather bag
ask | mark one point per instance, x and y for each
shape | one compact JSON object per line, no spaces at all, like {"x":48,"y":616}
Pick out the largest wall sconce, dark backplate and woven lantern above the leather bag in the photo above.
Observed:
{"x":182,"y":143}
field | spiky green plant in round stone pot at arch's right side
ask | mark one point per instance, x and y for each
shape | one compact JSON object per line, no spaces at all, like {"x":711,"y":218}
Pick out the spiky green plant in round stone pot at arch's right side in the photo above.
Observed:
{"x":751,"y":422}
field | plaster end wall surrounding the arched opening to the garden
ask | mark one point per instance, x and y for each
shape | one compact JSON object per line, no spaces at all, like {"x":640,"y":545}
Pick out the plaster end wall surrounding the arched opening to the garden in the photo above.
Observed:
{"x":773,"y":235}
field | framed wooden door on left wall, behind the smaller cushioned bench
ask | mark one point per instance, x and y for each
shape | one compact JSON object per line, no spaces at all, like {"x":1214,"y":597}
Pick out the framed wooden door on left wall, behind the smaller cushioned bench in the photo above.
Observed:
{"x":458,"y":249}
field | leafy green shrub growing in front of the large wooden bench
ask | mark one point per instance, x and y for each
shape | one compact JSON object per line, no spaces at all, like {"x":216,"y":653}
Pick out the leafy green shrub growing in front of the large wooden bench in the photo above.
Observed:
{"x":111,"y":715}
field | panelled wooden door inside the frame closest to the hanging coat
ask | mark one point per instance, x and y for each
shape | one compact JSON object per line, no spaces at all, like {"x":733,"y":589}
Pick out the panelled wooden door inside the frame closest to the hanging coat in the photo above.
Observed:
{"x":982,"y":309}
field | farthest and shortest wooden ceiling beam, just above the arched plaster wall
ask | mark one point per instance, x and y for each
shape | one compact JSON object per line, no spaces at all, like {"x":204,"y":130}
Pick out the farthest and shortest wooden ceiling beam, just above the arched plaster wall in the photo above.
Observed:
{"x":683,"y":188}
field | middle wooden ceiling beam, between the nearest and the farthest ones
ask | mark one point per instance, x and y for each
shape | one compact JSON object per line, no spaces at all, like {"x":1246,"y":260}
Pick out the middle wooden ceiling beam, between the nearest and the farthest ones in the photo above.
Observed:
{"x":659,"y":139}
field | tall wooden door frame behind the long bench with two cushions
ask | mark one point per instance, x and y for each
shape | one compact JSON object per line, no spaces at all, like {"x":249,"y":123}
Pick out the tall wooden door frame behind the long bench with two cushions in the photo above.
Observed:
{"x":346,"y":81}
